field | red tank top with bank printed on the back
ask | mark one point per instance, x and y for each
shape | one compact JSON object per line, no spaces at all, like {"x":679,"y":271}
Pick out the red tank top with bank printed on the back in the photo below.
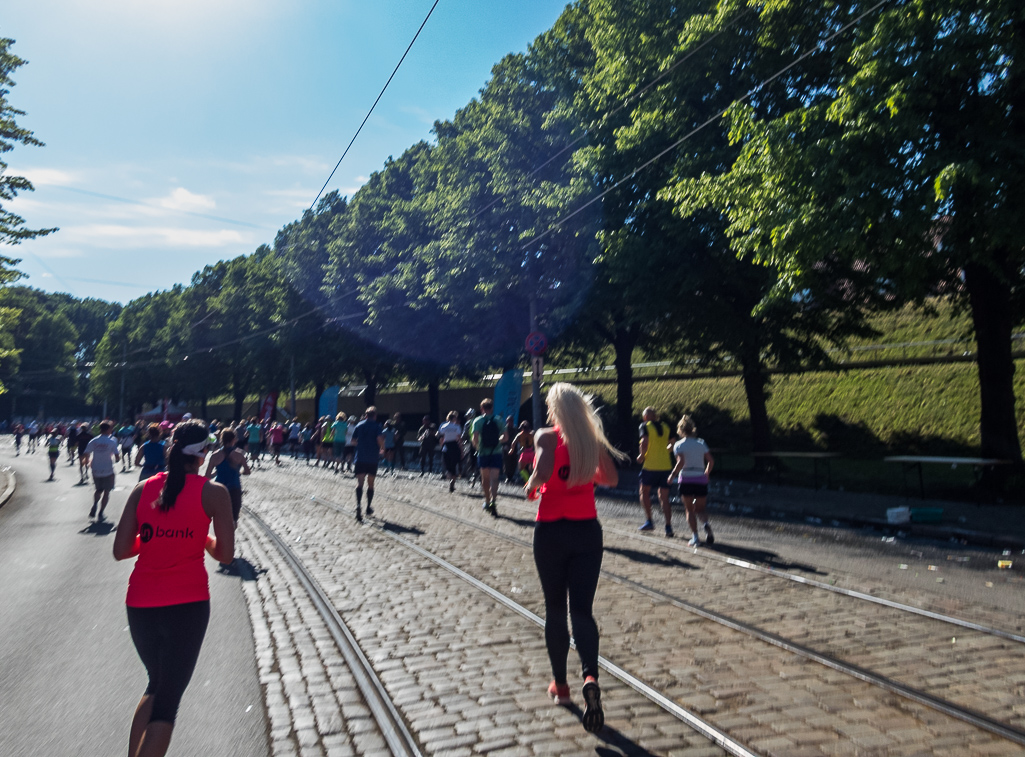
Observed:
{"x":170,"y":569}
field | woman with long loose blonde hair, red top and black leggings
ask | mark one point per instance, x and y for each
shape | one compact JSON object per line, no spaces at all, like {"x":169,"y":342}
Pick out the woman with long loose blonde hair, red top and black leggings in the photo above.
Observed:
{"x":570,"y":459}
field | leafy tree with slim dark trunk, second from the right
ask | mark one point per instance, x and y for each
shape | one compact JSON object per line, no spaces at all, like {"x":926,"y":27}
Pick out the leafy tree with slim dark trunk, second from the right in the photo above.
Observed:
{"x":722,"y":304}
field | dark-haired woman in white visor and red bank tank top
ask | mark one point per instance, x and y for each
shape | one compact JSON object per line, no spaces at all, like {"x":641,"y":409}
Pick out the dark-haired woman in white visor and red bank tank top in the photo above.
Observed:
{"x":167,"y":524}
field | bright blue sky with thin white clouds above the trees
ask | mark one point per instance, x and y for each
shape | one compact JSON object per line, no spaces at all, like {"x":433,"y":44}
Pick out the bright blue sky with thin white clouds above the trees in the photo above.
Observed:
{"x":183,"y":133}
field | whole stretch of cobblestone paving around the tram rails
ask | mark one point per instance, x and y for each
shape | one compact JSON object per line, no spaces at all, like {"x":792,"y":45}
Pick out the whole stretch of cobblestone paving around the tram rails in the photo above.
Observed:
{"x":407,"y":615}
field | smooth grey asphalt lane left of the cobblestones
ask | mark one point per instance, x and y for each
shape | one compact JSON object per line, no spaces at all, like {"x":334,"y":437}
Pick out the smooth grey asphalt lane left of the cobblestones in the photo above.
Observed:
{"x":70,"y":679}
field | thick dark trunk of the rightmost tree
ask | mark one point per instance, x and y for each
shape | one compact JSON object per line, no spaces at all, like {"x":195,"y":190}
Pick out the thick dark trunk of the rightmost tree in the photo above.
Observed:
{"x":990,"y":298}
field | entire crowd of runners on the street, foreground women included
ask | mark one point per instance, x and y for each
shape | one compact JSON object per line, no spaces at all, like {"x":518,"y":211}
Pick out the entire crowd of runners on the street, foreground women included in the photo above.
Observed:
{"x":558,"y":467}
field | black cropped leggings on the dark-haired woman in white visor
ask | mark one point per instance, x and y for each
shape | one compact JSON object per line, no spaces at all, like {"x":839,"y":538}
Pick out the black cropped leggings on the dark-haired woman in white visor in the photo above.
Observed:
{"x":169,"y":641}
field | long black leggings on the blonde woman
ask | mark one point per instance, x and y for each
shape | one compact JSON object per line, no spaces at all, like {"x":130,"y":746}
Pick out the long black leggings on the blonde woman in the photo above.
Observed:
{"x":568,"y":556}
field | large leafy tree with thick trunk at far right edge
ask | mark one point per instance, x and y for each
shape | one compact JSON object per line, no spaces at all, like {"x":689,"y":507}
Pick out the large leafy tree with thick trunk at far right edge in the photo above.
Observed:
{"x":899,"y":159}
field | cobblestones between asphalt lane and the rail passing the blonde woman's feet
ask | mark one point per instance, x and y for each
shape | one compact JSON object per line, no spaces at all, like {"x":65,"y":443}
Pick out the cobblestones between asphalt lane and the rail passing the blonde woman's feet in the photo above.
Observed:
{"x":469,"y":676}
